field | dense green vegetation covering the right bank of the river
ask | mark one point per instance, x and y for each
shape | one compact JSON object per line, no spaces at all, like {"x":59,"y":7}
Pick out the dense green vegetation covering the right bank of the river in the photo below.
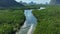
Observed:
{"x":48,"y":20}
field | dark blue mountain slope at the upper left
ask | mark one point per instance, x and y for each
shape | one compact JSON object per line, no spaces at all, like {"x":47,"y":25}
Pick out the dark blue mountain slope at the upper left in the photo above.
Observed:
{"x":9,"y":3}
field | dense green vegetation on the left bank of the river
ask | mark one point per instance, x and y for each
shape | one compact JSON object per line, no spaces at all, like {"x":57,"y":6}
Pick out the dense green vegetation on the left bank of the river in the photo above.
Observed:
{"x":11,"y":20}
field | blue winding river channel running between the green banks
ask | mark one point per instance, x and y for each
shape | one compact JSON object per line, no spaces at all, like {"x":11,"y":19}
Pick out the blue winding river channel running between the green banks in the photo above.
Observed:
{"x":30,"y":23}
